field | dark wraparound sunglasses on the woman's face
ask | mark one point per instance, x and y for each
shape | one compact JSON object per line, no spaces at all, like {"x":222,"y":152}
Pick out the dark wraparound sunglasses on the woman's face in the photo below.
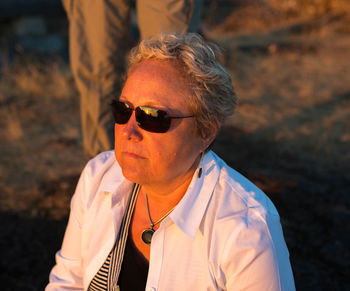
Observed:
{"x":148,"y":118}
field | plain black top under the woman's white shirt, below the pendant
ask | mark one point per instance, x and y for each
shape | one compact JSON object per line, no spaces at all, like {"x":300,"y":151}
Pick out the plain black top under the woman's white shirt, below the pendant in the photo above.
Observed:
{"x":134,"y":271}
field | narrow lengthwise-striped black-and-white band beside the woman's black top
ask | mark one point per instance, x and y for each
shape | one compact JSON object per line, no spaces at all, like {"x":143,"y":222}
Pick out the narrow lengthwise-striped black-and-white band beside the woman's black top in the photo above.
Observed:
{"x":118,"y":251}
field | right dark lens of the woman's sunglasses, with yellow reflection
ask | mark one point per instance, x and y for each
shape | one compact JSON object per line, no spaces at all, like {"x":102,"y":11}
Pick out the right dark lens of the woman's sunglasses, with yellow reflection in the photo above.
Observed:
{"x":152,"y":120}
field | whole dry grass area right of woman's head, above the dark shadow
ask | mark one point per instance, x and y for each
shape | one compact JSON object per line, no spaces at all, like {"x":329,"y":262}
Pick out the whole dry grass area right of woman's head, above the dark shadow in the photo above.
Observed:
{"x":294,"y":82}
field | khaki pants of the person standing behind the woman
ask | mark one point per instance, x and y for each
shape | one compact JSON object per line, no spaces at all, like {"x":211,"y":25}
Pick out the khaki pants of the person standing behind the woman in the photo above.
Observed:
{"x":98,"y":39}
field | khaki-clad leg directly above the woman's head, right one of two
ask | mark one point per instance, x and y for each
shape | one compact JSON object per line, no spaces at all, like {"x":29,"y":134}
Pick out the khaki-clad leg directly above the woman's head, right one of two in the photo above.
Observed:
{"x":155,"y":16}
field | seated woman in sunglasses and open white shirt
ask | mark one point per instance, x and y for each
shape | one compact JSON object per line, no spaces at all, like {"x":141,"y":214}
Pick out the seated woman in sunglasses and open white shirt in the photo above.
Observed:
{"x":162,"y":211}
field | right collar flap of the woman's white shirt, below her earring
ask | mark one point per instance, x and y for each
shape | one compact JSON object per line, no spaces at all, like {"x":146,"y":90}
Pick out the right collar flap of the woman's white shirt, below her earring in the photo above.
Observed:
{"x":188,"y":214}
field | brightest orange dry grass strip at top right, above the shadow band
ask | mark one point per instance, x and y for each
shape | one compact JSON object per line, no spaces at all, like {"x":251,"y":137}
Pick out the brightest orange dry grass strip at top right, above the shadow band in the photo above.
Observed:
{"x":261,"y":15}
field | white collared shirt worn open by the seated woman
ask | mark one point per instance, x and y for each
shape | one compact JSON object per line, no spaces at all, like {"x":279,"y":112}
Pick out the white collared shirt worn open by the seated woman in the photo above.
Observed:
{"x":224,"y":234}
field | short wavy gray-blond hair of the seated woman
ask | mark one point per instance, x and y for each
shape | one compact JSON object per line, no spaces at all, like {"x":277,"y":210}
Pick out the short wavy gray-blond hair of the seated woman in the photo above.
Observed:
{"x":214,"y":98}
